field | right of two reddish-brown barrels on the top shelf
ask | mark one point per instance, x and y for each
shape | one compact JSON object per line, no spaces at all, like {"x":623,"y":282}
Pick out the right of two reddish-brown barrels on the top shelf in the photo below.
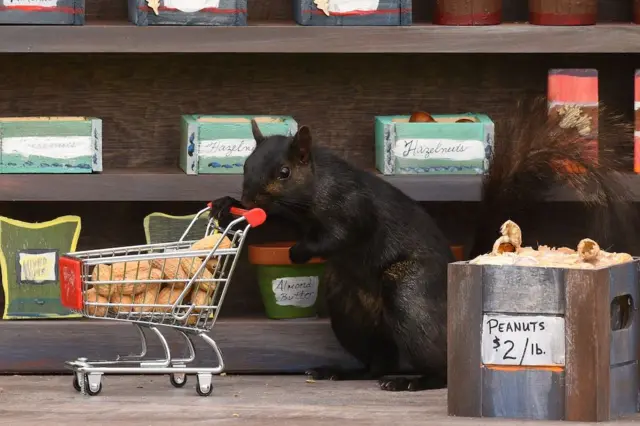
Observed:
{"x":563,"y":12}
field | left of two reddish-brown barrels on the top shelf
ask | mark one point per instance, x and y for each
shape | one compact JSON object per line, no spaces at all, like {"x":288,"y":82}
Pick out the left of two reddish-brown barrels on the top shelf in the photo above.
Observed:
{"x":468,"y":12}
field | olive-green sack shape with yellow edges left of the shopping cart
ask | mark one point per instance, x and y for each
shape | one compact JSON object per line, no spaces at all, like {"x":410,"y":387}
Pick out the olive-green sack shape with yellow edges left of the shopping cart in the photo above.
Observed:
{"x":29,"y":255}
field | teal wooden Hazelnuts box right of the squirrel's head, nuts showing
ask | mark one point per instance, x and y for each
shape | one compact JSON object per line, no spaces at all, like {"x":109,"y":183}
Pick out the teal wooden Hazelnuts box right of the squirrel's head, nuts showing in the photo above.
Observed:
{"x":443,"y":147}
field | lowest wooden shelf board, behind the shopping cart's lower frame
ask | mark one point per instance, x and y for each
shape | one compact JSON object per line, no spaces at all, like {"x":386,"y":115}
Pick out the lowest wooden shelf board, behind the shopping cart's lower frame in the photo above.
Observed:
{"x":247,"y":345}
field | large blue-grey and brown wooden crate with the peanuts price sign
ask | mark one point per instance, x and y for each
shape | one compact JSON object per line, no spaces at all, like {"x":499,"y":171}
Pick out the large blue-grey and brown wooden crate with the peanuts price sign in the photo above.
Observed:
{"x":543,"y":343}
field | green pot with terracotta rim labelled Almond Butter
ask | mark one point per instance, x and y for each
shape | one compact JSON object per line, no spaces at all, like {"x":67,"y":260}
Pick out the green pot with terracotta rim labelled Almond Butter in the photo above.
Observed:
{"x":288,"y":291}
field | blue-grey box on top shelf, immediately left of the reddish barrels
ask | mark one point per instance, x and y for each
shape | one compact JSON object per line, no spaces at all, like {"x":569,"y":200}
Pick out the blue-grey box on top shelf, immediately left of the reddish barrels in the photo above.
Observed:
{"x":352,"y":12}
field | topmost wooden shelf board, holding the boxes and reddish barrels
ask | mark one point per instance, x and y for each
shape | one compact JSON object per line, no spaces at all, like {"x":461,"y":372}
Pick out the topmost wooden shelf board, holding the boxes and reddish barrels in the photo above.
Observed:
{"x":285,"y":37}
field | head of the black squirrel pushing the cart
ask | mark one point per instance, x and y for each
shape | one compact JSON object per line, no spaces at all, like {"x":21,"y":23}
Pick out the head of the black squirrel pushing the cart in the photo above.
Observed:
{"x":279,"y":171}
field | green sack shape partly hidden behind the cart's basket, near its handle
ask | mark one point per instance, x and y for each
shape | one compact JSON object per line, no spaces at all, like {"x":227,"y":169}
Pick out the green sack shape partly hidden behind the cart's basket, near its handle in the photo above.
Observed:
{"x":165,"y":228}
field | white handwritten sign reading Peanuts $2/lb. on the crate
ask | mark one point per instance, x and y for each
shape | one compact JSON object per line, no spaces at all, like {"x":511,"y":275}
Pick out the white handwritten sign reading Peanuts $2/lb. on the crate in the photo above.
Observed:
{"x":522,"y":340}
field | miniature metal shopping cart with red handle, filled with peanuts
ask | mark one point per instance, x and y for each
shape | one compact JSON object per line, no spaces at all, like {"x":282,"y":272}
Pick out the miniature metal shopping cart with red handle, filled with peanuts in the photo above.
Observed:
{"x":168,"y":285}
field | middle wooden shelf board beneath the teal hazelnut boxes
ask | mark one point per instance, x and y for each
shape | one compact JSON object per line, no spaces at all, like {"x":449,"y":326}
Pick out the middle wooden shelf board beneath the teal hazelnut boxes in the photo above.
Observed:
{"x":174,"y":185}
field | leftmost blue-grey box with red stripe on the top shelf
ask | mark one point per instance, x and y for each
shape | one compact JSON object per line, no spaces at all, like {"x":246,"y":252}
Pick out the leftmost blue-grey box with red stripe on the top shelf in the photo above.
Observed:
{"x":43,"y":12}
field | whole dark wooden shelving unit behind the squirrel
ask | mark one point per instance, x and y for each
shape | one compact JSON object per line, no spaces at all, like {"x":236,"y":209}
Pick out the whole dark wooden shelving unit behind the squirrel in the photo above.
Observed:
{"x":335,"y":80}
